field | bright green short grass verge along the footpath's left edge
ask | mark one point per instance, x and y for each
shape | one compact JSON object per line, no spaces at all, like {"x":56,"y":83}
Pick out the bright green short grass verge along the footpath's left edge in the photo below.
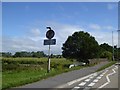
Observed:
{"x":17,"y":78}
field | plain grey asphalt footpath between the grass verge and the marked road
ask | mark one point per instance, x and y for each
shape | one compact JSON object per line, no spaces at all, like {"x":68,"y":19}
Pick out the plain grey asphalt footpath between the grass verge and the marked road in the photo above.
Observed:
{"x":64,"y":80}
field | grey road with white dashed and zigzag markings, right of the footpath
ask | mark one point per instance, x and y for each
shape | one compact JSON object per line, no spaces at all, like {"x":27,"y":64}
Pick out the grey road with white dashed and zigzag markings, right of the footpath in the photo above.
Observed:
{"x":106,"y":79}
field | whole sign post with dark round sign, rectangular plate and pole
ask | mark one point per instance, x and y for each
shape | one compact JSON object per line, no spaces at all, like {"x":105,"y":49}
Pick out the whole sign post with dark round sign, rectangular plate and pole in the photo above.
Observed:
{"x":49,"y":34}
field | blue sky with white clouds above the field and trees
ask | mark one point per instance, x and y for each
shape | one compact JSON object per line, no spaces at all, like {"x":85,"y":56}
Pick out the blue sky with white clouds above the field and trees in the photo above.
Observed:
{"x":24,"y":23}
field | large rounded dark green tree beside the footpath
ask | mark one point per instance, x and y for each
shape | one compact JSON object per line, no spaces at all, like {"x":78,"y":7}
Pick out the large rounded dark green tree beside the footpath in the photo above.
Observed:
{"x":80,"y":46}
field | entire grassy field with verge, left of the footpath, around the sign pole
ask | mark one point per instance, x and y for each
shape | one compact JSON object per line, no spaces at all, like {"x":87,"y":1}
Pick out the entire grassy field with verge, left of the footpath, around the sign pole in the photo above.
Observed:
{"x":19,"y":71}
